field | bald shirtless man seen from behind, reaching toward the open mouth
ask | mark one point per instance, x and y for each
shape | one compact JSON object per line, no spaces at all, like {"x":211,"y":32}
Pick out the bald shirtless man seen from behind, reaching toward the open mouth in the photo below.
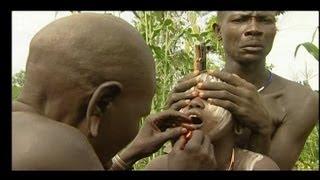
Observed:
{"x":89,"y":80}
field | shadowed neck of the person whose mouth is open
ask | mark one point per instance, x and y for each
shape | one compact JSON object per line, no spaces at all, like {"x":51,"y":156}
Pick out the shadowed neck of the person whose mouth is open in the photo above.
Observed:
{"x":223,"y":151}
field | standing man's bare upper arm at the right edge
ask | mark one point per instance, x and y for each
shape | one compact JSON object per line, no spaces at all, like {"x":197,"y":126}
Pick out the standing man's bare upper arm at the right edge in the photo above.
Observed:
{"x":291,"y":136}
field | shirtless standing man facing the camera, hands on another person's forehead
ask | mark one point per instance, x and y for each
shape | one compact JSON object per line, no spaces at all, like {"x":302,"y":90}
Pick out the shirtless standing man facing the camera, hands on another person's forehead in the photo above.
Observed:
{"x":276,"y":121}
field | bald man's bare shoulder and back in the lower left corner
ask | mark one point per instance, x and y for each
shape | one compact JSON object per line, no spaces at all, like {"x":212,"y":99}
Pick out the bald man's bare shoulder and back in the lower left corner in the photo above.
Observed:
{"x":42,"y":144}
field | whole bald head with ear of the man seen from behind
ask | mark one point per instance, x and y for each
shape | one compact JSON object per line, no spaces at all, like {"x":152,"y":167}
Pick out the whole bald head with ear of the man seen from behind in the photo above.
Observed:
{"x":93,"y":72}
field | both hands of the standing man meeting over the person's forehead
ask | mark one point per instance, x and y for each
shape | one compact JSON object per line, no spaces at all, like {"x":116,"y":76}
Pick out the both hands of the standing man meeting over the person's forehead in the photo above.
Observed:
{"x":234,"y":94}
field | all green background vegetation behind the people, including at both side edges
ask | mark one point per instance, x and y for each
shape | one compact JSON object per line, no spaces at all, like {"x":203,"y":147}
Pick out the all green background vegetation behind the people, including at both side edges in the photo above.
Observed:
{"x":171,"y":35}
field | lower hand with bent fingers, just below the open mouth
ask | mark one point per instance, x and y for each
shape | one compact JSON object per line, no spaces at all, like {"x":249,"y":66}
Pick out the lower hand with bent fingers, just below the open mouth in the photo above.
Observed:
{"x":196,"y":154}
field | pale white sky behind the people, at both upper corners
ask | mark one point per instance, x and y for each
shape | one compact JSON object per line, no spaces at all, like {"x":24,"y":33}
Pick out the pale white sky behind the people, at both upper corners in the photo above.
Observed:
{"x":294,"y":27}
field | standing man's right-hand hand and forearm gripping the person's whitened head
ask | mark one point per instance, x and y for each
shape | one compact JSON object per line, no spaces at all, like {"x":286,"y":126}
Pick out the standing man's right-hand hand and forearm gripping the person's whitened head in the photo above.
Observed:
{"x":245,"y":103}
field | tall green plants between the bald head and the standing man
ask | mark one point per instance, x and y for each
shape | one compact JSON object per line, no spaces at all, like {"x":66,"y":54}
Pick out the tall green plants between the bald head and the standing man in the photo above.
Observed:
{"x":172,"y":36}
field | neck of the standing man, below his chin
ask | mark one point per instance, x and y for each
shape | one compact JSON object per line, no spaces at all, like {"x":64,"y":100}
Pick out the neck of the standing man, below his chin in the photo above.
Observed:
{"x":255,"y":72}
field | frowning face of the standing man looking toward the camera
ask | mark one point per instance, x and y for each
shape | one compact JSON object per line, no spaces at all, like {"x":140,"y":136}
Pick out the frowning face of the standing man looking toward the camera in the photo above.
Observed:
{"x":247,"y":35}
